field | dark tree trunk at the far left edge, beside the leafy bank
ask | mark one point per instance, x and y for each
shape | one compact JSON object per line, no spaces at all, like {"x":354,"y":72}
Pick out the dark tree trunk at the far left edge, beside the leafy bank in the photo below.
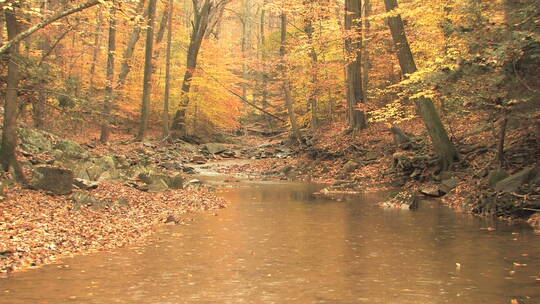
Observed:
{"x":8,"y":159}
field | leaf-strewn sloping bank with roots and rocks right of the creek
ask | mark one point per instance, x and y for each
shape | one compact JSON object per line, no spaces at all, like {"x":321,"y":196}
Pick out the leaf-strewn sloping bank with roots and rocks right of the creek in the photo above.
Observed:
{"x":379,"y":159}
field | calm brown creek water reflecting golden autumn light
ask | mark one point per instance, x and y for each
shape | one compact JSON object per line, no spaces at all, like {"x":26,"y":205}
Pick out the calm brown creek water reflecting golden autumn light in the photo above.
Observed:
{"x":276,"y":243}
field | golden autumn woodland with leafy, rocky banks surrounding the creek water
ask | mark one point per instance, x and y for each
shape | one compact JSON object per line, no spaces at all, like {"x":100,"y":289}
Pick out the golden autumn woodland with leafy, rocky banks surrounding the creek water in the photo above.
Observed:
{"x":115,"y":114}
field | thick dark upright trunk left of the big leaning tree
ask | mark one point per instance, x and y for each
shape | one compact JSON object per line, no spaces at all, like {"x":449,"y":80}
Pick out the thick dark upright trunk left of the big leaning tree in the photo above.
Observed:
{"x":353,"y":23}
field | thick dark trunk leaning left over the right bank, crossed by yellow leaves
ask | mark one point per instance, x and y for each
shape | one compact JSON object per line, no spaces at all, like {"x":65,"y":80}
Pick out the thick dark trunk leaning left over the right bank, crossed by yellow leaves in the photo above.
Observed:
{"x":442,"y":145}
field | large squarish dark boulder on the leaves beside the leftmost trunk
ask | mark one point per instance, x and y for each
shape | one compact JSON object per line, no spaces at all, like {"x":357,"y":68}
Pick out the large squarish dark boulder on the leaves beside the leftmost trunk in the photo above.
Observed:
{"x":58,"y":181}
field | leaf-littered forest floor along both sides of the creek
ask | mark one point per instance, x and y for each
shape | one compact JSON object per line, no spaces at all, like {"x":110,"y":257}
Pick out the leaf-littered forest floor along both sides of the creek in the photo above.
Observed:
{"x":37,"y":228}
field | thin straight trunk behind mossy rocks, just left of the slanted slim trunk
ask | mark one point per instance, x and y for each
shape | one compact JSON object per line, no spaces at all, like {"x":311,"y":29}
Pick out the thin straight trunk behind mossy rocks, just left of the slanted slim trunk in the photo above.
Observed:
{"x":109,"y":96}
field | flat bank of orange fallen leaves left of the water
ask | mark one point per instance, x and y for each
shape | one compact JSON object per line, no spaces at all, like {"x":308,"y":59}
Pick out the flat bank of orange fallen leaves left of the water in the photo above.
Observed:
{"x":37,"y":229}
